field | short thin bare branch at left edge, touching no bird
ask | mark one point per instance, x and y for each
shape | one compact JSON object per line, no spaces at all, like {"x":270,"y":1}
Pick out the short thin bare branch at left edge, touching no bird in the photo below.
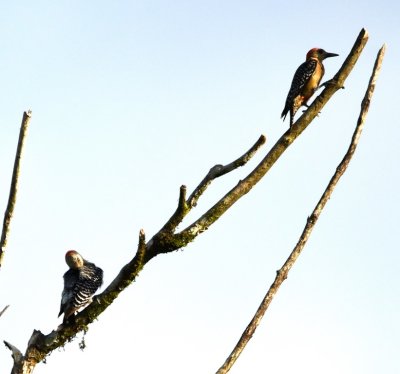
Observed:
{"x":14,"y":185}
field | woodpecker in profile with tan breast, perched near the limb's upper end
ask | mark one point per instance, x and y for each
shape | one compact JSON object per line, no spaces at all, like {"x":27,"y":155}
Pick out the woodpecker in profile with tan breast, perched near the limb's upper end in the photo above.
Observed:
{"x":305,"y":81}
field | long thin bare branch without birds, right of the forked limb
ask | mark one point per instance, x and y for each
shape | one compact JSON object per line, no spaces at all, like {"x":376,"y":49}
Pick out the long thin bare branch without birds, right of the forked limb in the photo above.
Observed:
{"x":311,"y":221}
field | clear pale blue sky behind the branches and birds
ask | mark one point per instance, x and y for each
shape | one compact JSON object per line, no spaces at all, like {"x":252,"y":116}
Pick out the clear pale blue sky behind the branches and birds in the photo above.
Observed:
{"x":130,"y":100}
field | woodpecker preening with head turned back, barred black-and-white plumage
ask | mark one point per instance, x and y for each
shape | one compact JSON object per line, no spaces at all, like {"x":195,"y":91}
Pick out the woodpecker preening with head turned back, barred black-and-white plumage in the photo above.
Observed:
{"x":81,"y":281}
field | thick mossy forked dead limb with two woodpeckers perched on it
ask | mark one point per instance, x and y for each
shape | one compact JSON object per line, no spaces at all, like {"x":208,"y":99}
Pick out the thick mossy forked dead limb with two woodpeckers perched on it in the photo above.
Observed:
{"x":167,"y":240}
